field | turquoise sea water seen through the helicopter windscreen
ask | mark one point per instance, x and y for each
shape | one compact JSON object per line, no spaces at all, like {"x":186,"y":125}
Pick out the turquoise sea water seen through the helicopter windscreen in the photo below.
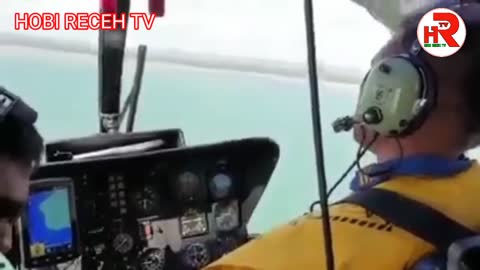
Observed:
{"x":209,"y":106}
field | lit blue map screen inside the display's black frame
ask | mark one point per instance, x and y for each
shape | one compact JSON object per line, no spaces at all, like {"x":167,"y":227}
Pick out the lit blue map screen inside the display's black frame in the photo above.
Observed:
{"x":49,"y":221}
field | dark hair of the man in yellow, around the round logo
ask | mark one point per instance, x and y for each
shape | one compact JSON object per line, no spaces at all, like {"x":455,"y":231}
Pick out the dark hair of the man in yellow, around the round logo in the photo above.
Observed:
{"x":469,"y":53}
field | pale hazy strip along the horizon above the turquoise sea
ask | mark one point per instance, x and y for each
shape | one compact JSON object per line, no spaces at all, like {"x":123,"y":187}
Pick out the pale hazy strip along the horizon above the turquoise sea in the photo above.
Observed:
{"x":326,"y":72}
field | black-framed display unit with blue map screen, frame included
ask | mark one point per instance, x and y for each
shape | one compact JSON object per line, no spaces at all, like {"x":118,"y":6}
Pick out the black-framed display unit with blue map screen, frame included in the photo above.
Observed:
{"x":49,"y":223}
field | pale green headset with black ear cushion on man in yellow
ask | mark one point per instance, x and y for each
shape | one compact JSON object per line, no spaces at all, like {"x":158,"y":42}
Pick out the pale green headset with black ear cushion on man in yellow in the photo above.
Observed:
{"x":398,"y":92}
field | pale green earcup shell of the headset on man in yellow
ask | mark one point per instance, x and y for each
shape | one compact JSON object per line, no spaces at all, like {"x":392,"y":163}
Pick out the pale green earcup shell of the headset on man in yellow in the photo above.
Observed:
{"x":392,"y":96}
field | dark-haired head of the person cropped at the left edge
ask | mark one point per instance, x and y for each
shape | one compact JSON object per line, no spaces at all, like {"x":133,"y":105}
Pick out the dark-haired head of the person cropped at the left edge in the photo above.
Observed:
{"x":21,"y":147}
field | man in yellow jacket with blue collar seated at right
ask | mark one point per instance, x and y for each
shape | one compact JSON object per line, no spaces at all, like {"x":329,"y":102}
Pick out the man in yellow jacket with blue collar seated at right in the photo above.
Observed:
{"x":429,"y":171}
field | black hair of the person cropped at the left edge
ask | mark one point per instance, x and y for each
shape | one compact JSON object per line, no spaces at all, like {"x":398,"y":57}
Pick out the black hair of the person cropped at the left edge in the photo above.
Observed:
{"x":20,"y":141}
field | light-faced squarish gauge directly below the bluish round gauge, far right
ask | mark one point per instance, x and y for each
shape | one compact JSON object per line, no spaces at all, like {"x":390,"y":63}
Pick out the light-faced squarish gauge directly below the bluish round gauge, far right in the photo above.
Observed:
{"x":226,"y":216}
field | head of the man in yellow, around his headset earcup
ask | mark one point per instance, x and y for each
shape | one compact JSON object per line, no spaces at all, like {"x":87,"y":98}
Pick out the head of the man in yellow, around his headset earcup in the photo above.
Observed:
{"x":455,"y":119}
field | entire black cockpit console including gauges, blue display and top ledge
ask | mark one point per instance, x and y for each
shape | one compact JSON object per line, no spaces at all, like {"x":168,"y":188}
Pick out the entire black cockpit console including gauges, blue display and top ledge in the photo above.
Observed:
{"x":179,"y":207}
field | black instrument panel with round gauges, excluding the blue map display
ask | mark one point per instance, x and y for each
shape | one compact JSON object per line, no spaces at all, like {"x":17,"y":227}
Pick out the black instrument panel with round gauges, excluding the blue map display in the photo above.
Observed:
{"x":174,"y":209}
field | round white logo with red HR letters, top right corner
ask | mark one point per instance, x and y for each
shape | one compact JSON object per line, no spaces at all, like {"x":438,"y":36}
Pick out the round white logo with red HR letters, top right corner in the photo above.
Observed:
{"x":441,"y":32}
